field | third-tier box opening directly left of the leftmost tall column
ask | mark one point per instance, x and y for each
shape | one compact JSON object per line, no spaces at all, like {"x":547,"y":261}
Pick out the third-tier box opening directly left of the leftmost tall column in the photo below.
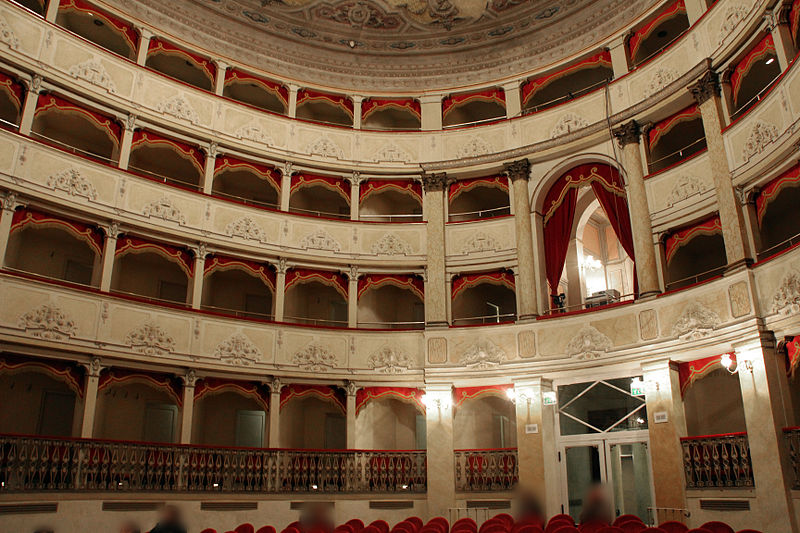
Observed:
{"x":391,"y":301}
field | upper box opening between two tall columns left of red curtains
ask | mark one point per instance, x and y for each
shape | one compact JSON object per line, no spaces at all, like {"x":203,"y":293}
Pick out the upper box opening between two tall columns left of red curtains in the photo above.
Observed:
{"x":478,"y":198}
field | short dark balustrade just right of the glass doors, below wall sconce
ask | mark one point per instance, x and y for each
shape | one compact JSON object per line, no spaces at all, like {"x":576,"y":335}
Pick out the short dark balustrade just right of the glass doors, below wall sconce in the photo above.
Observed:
{"x":717,"y":461}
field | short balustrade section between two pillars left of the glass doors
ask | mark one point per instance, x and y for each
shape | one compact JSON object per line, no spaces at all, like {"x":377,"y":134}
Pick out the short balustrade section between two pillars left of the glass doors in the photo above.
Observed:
{"x":486,"y":470}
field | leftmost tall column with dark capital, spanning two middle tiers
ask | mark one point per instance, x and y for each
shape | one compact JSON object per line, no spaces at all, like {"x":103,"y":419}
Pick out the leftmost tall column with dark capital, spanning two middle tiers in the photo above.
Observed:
{"x":436,"y":294}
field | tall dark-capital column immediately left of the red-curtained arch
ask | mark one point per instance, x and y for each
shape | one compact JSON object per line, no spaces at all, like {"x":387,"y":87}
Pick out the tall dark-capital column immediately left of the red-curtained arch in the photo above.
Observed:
{"x":518,"y":173}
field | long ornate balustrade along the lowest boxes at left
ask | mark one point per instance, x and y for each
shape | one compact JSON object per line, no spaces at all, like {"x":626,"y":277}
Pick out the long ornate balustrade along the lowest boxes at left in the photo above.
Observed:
{"x":36,"y":464}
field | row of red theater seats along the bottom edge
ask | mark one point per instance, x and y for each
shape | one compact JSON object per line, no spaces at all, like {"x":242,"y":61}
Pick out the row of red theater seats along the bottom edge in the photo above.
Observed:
{"x":502,"y":523}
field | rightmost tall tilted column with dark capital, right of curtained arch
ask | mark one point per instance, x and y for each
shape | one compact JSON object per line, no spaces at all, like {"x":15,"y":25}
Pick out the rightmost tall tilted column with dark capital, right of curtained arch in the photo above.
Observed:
{"x":707,"y":94}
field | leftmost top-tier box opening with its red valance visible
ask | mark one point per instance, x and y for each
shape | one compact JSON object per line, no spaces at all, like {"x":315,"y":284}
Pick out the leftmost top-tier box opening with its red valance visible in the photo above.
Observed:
{"x":98,"y":27}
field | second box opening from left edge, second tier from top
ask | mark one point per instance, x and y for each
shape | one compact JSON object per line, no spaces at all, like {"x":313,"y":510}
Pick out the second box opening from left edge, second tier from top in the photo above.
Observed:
{"x":76,"y":129}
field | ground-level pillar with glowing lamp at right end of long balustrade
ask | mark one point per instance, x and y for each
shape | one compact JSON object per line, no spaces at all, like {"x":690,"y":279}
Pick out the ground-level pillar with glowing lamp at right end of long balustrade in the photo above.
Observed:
{"x":439,"y":437}
